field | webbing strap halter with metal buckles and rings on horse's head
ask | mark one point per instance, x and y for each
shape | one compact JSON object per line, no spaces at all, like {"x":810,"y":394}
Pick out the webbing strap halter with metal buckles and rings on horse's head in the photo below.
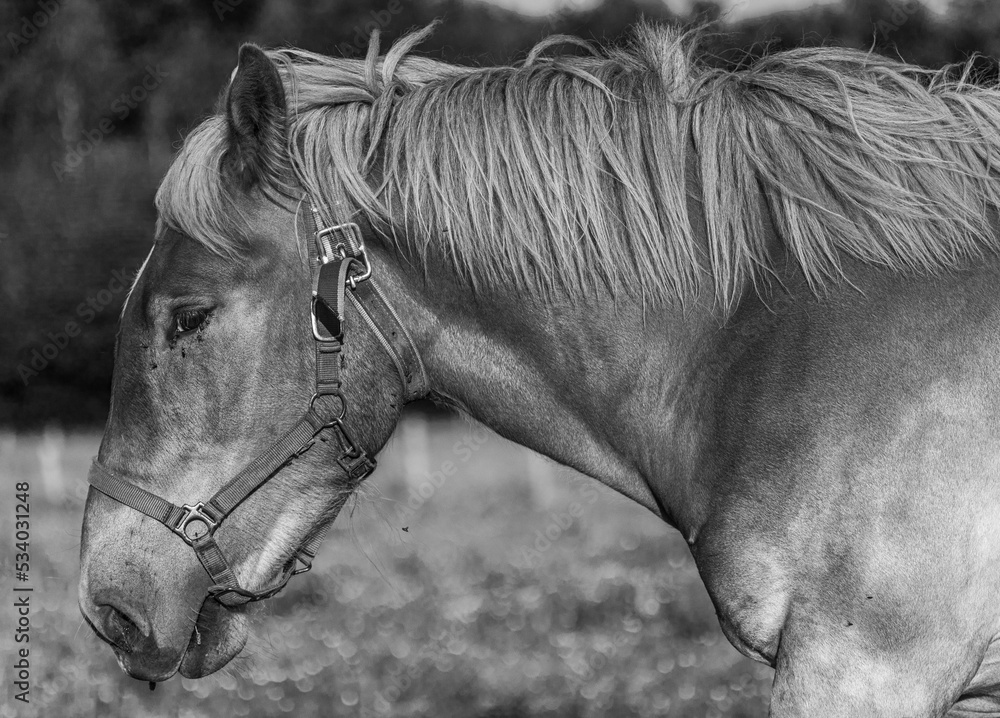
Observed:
{"x":339,"y":262}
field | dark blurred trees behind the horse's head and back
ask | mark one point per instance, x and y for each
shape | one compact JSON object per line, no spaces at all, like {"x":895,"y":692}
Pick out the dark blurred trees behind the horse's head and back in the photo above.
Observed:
{"x":95,"y":96}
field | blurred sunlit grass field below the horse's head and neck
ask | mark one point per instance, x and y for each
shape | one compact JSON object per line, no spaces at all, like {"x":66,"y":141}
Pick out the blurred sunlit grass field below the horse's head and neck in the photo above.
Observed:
{"x":519,"y":589}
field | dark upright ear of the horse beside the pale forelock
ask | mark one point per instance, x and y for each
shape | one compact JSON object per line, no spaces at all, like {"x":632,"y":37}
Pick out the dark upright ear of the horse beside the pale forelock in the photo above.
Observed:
{"x":255,"y":114}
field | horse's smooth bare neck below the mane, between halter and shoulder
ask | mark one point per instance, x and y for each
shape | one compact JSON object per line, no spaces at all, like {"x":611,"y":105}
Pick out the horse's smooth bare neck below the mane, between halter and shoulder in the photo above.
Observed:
{"x":601,"y":385}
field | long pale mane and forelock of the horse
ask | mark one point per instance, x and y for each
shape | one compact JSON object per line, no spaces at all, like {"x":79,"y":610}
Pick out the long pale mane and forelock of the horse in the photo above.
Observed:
{"x":569,"y":172}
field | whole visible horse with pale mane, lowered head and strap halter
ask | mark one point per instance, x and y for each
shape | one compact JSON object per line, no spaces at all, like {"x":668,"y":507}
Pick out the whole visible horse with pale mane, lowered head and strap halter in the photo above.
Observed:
{"x":761,"y":303}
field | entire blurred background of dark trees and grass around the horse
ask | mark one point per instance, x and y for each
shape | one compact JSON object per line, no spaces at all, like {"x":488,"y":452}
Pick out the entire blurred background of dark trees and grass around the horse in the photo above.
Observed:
{"x":477,"y":600}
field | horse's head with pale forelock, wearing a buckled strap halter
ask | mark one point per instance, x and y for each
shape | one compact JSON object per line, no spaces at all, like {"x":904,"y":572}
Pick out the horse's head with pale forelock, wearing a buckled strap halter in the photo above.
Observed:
{"x":225,"y":348}
